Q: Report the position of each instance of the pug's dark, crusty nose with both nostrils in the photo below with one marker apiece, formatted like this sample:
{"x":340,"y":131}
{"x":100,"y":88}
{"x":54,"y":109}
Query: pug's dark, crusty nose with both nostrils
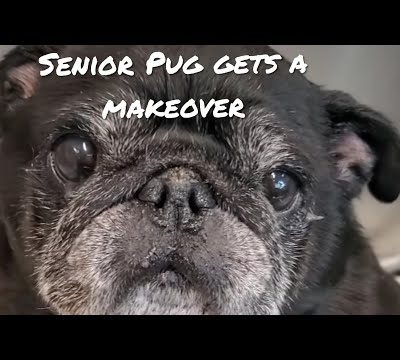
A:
{"x":178,"y":191}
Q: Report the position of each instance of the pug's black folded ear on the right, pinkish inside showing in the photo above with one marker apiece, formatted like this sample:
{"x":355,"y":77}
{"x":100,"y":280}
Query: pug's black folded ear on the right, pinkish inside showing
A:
{"x":365,"y":146}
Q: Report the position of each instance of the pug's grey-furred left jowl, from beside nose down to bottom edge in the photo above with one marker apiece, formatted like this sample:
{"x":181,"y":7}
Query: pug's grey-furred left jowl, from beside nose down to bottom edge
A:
{"x":87,"y":275}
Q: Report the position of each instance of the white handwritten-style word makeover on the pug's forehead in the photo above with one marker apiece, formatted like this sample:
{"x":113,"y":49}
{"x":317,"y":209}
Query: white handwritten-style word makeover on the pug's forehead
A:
{"x":173,"y":109}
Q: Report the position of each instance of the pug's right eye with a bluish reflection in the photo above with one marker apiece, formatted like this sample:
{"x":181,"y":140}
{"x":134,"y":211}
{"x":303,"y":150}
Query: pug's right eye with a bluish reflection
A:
{"x":282,"y":188}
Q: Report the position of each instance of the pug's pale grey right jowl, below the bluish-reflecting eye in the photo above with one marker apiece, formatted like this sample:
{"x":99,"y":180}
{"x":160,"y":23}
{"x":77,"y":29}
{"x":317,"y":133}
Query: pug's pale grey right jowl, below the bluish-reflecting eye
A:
{"x":244,"y":260}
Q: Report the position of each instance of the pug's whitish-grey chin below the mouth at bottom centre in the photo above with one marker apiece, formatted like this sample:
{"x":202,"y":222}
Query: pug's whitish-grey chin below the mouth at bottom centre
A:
{"x":169,"y":293}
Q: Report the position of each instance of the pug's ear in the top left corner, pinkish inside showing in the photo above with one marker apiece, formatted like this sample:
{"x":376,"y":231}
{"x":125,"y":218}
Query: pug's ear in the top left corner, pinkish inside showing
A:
{"x":19,"y":74}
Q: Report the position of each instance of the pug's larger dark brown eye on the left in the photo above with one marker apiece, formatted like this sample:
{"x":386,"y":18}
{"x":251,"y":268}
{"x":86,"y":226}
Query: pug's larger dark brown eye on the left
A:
{"x":74,"y":158}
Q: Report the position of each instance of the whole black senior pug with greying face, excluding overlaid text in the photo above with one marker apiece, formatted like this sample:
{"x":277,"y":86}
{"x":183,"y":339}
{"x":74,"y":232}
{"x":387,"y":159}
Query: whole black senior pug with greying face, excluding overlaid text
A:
{"x":228,"y":216}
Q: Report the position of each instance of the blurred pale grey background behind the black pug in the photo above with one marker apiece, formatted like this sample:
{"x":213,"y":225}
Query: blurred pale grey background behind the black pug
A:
{"x":371,"y":74}
